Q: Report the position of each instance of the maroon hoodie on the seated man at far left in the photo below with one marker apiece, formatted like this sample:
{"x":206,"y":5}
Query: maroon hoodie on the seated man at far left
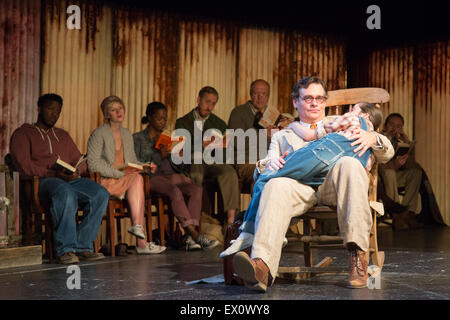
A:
{"x":35,"y":151}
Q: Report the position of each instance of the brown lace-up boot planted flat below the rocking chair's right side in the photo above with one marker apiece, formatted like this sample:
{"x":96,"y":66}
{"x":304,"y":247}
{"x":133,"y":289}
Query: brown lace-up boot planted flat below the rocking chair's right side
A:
{"x":357,"y":275}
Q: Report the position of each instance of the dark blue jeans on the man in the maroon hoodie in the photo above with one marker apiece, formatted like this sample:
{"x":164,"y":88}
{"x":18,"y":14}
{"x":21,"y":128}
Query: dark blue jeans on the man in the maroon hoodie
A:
{"x":63,"y":199}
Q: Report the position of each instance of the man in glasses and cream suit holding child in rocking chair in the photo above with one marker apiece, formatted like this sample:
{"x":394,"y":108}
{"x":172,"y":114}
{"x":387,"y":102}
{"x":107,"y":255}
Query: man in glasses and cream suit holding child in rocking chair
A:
{"x":345,"y":187}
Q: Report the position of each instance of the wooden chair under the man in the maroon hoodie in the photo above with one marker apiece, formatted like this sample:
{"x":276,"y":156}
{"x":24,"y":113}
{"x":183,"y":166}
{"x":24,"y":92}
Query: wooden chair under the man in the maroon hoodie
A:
{"x":36,"y":218}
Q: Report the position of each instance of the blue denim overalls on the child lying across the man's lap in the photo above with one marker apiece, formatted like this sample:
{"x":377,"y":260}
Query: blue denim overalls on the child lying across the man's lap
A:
{"x":309,"y":165}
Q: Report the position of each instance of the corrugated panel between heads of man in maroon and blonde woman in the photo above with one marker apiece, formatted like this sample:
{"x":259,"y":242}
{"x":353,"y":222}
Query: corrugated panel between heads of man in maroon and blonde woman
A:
{"x":77,"y":64}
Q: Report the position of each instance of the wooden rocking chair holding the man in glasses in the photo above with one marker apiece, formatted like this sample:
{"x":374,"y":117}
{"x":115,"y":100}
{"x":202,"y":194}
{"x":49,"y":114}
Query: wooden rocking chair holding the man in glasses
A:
{"x":313,"y":219}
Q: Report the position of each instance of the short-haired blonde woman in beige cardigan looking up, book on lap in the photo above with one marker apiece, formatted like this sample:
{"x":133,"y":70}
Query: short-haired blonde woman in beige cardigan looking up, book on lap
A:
{"x":109,"y":147}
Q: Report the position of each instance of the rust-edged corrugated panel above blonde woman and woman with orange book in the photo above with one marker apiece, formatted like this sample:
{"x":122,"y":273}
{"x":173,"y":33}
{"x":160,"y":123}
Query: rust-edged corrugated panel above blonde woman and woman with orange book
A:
{"x":144,"y":61}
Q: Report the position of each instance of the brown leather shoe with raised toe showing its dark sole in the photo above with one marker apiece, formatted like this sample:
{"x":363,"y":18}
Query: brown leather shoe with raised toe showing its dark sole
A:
{"x":254,"y":272}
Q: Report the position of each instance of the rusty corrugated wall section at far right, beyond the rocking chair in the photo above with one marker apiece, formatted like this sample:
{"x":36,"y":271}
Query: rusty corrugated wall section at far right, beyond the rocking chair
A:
{"x":418,"y":81}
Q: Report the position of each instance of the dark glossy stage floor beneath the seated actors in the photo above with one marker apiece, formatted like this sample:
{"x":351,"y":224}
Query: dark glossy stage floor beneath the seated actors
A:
{"x":417,"y":266}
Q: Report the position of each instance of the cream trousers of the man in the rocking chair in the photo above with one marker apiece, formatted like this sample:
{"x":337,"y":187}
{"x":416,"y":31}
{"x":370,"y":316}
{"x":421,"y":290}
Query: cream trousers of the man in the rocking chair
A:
{"x":346,"y":187}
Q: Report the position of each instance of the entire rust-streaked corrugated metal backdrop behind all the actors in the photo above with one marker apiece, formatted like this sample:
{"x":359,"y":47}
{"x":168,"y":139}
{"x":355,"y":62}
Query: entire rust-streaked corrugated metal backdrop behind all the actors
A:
{"x":142,"y":55}
